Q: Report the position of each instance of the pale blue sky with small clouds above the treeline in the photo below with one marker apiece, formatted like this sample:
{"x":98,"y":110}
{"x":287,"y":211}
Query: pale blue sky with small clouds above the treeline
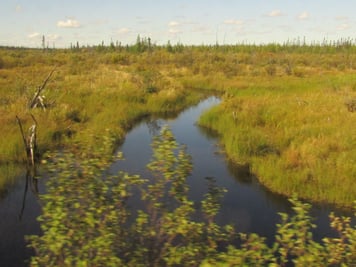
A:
{"x":197,"y":22}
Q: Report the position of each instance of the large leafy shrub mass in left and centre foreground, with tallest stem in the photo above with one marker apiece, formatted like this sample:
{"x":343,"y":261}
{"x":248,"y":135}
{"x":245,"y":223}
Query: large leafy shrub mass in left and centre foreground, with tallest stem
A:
{"x":86,"y":220}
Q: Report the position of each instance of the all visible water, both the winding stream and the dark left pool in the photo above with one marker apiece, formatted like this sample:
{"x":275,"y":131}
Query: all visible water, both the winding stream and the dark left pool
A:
{"x":247,"y":204}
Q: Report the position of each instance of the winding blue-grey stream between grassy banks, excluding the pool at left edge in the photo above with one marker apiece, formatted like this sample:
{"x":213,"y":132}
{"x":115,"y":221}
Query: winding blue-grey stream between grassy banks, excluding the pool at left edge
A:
{"x":247,"y":204}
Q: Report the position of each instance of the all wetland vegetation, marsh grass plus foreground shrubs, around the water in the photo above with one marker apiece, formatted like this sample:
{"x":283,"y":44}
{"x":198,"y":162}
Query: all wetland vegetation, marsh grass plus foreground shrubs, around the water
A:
{"x":287,"y":112}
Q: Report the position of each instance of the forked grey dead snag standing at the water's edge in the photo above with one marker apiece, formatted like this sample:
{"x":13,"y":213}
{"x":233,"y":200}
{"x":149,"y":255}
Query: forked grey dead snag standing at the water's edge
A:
{"x":30,"y":141}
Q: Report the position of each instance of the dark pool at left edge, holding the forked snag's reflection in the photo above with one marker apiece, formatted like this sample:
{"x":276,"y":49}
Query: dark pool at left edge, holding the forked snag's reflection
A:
{"x":19,"y":208}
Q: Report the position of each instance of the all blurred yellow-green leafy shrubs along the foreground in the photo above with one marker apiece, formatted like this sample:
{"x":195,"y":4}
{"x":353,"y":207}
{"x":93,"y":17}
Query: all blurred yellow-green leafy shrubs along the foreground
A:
{"x":86,"y":220}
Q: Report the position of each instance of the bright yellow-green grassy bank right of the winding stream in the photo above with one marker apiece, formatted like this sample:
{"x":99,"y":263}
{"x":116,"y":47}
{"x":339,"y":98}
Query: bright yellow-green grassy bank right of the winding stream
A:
{"x":297,"y":134}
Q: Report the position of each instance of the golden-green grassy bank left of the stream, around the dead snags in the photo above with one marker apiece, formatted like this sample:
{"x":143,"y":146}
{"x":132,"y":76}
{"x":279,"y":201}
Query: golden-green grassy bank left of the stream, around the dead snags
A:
{"x":87,"y":94}
